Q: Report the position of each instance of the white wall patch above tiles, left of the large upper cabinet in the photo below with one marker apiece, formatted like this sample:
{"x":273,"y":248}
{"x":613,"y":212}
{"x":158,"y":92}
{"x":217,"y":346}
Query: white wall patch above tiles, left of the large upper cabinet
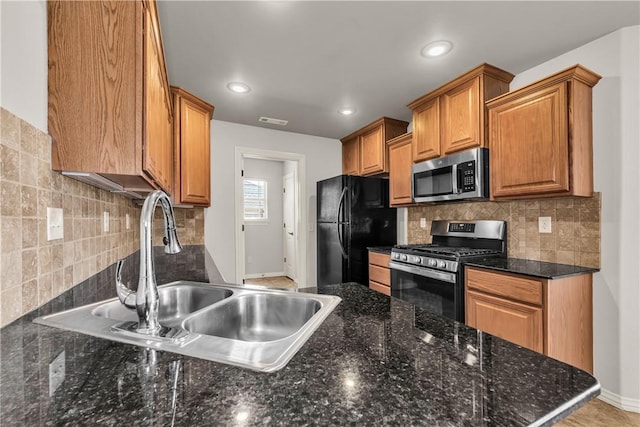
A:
{"x":23,"y":81}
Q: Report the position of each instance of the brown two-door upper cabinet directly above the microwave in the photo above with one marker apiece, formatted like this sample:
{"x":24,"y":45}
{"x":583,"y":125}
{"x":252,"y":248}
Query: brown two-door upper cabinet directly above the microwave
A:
{"x":453,"y":117}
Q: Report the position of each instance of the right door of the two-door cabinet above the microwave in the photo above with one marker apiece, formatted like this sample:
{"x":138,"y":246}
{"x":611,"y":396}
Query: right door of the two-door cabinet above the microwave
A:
{"x":461,"y":109}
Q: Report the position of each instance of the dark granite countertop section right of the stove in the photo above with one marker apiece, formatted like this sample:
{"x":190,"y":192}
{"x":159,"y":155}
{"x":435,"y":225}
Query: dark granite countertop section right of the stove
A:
{"x":545,"y":270}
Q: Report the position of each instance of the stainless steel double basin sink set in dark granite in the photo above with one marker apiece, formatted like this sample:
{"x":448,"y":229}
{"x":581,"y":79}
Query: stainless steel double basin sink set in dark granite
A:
{"x":254,"y":328}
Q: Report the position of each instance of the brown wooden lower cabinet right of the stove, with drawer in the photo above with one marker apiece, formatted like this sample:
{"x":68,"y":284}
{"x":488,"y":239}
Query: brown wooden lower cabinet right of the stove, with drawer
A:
{"x":553,"y":317}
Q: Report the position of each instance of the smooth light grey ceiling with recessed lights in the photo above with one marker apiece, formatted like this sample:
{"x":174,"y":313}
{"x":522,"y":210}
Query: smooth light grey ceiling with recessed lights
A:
{"x":305,"y":60}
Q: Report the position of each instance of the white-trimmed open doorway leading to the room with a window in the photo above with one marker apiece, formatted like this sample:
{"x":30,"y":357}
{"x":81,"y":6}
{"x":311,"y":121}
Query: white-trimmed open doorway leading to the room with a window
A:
{"x":289,"y":218}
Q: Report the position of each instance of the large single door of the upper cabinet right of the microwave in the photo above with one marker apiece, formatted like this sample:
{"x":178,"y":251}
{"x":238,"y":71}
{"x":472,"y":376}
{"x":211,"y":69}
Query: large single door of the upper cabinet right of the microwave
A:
{"x":528,"y":141}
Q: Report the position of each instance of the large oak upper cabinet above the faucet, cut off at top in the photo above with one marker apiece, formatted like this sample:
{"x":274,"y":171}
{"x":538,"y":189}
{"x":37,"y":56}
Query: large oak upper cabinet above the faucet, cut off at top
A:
{"x":110,"y":113}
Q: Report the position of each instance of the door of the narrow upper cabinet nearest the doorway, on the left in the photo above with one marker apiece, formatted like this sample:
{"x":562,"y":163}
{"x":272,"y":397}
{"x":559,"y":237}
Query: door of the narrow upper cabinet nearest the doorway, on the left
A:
{"x":194,"y":154}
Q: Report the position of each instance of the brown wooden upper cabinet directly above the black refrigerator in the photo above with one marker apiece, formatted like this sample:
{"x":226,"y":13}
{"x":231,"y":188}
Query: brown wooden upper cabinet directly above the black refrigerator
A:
{"x":364,"y":152}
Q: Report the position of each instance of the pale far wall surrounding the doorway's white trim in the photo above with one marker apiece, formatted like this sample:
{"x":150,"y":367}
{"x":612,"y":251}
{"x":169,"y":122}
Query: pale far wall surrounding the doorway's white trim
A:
{"x":323,"y":160}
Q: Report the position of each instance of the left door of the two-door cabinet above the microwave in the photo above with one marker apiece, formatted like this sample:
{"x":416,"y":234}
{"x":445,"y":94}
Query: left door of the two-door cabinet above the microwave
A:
{"x":426,"y":131}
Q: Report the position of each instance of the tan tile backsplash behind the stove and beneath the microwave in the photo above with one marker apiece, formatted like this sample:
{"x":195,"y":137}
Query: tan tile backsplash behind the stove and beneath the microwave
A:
{"x":575,"y":226}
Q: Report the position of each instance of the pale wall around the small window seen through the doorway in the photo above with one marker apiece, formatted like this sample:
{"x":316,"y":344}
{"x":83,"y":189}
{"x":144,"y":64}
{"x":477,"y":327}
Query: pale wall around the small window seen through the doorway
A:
{"x":263,"y":240}
